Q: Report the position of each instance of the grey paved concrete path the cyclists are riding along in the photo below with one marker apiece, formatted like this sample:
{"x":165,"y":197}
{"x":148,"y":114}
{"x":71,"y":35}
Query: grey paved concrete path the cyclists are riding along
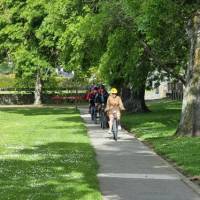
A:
{"x":129,"y":170}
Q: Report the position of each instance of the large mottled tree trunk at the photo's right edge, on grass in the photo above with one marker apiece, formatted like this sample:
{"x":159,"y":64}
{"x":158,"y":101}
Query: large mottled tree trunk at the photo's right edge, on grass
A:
{"x":190,"y":116}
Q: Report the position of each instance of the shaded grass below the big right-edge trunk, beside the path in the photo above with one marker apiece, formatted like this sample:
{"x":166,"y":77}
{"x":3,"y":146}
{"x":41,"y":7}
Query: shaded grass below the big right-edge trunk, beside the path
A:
{"x":183,"y":150}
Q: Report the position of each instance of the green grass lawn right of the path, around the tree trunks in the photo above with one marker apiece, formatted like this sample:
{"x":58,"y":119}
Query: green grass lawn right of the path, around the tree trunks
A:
{"x":158,"y":128}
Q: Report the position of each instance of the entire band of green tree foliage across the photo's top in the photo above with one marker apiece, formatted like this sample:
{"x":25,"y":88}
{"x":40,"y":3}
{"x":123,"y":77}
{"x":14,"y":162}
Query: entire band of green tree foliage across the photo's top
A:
{"x":107,"y":35}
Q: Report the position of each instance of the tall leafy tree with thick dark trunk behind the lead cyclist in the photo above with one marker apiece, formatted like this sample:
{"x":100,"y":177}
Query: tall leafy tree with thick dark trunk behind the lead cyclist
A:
{"x":106,"y":38}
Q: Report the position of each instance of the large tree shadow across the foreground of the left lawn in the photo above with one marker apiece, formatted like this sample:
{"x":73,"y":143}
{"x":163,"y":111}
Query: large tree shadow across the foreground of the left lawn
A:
{"x":53,"y":171}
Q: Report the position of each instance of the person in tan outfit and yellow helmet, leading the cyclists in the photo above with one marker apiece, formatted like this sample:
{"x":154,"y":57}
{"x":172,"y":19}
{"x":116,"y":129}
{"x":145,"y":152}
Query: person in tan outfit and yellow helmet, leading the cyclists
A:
{"x":114,"y":104}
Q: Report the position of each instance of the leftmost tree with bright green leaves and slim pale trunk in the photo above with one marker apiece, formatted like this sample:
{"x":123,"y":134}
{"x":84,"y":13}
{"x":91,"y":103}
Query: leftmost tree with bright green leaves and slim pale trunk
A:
{"x":21,"y":37}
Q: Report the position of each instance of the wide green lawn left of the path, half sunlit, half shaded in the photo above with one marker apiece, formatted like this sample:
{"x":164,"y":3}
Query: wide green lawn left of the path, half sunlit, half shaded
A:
{"x":45,"y":154}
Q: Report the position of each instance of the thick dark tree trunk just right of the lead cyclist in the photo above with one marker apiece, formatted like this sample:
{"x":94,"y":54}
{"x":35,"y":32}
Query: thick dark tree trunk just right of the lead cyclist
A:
{"x":134,"y":101}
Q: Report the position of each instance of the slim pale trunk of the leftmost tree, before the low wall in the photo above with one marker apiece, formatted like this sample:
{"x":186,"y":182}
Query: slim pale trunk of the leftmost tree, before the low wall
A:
{"x":38,"y":90}
